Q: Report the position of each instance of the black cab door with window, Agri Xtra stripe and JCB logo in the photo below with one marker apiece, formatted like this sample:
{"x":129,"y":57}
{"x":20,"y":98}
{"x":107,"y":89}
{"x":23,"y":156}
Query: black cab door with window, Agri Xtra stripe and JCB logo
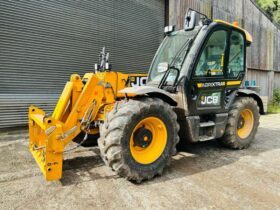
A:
{"x":206,"y":87}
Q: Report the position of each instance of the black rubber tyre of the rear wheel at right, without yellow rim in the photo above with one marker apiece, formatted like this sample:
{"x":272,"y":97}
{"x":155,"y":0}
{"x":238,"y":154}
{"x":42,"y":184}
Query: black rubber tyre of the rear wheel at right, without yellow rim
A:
{"x":231,"y":138}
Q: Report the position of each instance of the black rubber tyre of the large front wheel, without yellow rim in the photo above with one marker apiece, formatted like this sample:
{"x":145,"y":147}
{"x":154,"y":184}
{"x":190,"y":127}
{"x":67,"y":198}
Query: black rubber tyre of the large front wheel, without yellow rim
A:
{"x":116,"y":131}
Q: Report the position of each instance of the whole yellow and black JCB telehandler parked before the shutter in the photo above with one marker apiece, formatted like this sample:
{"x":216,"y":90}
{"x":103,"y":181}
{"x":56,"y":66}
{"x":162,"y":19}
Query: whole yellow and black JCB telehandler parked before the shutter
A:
{"x":193,"y":84}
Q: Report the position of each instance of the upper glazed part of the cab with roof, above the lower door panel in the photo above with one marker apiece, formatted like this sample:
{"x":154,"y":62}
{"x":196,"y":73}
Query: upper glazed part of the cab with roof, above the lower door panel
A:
{"x":204,"y":48}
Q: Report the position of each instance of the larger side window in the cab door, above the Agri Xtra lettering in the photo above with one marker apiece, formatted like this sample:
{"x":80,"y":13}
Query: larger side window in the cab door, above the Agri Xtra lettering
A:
{"x":211,"y":61}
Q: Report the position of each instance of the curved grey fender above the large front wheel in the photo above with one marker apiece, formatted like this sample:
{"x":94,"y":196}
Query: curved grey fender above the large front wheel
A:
{"x":151,"y":91}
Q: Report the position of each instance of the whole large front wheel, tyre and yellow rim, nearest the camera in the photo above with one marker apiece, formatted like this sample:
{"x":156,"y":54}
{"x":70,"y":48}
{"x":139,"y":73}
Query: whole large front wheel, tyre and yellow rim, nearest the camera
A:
{"x":118,"y":131}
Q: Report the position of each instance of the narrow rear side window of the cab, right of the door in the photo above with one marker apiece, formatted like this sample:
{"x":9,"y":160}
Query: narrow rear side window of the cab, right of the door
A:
{"x":236,"y":55}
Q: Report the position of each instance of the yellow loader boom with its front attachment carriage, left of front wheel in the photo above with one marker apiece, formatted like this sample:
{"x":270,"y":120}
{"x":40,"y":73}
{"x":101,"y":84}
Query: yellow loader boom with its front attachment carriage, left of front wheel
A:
{"x":83,"y":103}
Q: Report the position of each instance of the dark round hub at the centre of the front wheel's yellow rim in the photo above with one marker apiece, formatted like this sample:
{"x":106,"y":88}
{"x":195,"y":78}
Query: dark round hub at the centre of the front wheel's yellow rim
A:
{"x":142,"y":137}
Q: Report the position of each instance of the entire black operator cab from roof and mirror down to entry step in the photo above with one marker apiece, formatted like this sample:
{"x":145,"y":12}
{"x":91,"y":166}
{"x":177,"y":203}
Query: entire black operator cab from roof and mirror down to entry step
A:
{"x":206,"y":62}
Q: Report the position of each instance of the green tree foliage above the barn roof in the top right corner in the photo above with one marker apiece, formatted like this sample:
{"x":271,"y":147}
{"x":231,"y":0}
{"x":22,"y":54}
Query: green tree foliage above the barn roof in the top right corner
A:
{"x":272,"y":7}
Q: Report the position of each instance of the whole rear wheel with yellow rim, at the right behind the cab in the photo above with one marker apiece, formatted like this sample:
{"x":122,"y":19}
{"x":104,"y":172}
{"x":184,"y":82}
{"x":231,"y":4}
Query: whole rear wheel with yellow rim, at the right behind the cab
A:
{"x":242,"y":125}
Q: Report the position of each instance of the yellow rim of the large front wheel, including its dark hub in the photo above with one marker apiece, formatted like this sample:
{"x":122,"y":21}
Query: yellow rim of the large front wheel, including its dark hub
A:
{"x":148,"y":140}
